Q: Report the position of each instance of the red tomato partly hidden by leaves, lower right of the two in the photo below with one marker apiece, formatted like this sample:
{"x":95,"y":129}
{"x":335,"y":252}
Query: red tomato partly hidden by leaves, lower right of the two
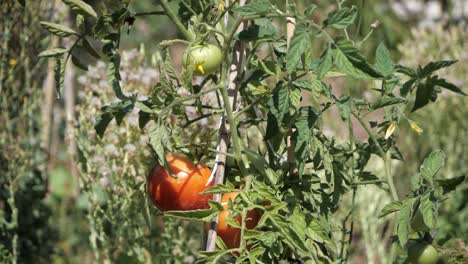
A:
{"x":229,"y":234}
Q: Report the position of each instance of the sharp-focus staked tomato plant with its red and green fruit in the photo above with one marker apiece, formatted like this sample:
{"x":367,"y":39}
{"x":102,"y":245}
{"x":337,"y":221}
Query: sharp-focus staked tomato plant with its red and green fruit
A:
{"x":269,"y":81}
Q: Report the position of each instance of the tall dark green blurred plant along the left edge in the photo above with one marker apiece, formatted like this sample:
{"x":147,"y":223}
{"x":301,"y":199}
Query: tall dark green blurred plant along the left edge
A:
{"x":26,"y":234}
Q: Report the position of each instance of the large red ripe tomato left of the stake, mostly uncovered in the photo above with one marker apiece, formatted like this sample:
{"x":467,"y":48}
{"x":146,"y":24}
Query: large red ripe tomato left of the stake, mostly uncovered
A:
{"x":181,"y":193}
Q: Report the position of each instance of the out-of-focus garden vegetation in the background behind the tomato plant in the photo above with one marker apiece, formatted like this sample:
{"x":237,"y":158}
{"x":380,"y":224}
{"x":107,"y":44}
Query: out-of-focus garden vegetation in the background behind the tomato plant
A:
{"x":51,"y":207}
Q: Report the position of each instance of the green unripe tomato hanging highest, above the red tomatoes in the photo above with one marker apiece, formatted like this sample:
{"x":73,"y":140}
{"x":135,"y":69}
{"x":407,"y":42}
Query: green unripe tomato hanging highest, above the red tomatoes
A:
{"x":205,"y":59}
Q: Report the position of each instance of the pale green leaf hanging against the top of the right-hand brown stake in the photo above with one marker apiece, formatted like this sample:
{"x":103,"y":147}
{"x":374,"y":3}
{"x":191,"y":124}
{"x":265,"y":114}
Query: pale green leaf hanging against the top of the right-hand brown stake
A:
{"x":299,"y":43}
